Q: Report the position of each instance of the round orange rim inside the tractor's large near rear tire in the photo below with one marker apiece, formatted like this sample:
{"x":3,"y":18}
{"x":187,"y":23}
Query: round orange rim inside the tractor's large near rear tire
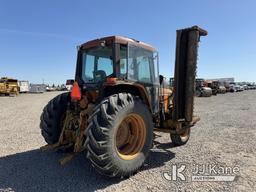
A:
{"x":130,"y":137}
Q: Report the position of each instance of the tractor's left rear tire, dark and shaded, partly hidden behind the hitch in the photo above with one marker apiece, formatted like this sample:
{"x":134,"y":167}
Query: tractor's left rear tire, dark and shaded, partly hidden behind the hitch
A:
{"x":52,"y":116}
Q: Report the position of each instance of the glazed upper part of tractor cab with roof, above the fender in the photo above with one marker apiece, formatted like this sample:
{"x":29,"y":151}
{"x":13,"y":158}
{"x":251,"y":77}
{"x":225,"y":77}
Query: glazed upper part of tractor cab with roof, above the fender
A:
{"x":116,"y":57}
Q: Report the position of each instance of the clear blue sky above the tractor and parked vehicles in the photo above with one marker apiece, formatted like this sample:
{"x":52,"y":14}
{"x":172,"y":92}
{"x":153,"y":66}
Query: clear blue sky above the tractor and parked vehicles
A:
{"x":38,"y":39}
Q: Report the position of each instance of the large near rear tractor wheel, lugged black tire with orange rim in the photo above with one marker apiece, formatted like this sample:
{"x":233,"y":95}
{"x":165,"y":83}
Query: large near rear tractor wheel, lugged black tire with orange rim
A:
{"x":120,"y":134}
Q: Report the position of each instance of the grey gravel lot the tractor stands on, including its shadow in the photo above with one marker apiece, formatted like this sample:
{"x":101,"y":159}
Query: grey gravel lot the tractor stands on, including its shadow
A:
{"x":225,"y":136}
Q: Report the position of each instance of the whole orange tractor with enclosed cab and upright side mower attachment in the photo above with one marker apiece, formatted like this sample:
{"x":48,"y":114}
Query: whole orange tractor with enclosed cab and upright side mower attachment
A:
{"x":119,"y":99}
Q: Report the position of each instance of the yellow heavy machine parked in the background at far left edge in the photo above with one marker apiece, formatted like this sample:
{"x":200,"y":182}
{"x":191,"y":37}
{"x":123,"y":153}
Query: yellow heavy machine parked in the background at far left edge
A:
{"x":9,"y":86}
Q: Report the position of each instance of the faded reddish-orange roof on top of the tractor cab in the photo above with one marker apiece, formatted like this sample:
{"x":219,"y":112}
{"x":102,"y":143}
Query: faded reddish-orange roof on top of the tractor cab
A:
{"x":117,"y":39}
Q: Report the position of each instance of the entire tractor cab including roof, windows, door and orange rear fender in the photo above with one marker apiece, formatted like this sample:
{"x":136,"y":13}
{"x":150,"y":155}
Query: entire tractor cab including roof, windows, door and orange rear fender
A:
{"x":118,"y":64}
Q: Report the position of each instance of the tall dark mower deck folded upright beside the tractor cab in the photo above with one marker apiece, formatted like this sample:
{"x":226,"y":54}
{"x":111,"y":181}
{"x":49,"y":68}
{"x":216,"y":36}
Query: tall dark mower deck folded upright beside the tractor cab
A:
{"x":187,"y":41}
